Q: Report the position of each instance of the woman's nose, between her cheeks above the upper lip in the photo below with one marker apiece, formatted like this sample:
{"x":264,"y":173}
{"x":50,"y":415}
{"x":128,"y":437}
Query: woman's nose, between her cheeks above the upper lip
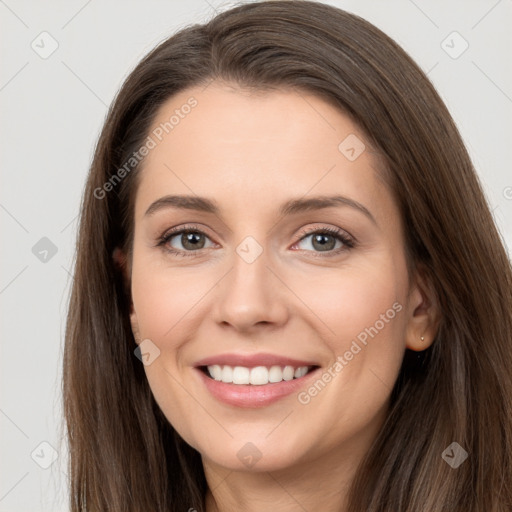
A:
{"x":251,"y":296}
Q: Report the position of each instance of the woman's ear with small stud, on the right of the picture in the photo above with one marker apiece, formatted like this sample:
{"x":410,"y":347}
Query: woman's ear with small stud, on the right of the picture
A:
{"x":424,"y":313}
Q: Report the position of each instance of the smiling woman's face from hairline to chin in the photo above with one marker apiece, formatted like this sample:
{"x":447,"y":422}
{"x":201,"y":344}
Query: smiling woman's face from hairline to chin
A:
{"x":293,"y":256}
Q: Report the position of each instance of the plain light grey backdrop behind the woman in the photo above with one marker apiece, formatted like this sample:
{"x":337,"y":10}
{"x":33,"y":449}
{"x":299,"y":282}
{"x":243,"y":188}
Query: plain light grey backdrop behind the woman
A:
{"x":52,"y":110}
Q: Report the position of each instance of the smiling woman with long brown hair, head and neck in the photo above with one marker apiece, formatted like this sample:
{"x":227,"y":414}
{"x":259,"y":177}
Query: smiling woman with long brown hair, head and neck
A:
{"x":289,"y":290}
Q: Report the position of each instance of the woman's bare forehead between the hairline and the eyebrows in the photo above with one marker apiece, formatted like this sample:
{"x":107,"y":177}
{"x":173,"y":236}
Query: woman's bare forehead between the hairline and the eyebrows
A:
{"x":264,"y":146}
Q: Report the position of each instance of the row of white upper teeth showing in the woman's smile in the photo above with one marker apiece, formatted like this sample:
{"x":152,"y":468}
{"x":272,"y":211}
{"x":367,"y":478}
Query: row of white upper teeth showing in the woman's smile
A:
{"x":257,"y":376}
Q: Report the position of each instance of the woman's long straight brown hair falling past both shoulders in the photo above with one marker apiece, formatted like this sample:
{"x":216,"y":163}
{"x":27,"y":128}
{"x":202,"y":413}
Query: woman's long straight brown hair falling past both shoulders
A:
{"x":124,"y":454}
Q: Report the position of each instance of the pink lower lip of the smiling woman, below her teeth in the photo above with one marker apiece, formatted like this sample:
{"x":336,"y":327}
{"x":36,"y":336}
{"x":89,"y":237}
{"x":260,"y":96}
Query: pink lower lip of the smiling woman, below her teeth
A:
{"x":245,"y":395}
